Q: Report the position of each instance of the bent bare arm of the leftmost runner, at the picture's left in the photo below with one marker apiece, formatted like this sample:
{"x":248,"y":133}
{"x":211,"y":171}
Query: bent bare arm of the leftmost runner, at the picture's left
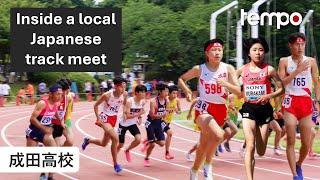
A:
{"x":34,"y":121}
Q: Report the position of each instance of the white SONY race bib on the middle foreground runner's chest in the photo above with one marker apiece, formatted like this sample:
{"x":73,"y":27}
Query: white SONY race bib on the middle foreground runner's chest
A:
{"x":254,"y":92}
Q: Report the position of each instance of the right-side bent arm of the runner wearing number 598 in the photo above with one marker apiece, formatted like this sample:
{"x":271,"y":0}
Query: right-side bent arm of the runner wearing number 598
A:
{"x":232,"y":84}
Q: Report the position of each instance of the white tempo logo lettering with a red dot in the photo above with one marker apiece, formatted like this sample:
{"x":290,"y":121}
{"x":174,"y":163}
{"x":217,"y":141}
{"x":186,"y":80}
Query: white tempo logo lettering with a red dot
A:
{"x":254,"y":18}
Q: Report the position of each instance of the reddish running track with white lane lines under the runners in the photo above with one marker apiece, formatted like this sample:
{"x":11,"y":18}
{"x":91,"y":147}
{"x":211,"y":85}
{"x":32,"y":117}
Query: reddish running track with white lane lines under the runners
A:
{"x":96,"y":162}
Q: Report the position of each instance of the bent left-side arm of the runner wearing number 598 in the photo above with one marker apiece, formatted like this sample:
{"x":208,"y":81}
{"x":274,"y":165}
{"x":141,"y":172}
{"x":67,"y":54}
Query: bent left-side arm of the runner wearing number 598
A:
{"x":192,"y":73}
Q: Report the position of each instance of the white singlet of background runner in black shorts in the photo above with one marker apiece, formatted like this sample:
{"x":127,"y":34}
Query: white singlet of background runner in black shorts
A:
{"x":135,"y":109}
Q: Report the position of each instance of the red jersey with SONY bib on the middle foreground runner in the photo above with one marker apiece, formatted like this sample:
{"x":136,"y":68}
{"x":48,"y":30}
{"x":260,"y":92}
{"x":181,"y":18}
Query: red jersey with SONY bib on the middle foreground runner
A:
{"x":255,"y":84}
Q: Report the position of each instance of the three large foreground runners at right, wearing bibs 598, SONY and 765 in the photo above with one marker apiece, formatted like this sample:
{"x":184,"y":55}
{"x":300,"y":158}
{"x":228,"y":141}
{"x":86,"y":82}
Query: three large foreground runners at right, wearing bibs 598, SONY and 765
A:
{"x":294,"y":79}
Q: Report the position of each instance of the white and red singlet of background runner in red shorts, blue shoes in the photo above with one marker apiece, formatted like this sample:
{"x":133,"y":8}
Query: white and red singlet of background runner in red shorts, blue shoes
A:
{"x":111,"y":108}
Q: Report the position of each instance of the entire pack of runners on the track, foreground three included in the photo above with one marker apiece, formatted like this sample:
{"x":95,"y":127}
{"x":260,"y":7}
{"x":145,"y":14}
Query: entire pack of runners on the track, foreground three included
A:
{"x":217,"y":85}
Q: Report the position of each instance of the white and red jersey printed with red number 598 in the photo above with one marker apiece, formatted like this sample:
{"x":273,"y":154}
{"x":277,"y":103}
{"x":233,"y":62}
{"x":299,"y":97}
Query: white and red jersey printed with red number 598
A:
{"x":208,"y":88}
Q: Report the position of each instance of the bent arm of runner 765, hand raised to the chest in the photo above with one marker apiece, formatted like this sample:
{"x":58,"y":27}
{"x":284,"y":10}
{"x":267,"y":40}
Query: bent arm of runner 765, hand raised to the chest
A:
{"x":283,"y":74}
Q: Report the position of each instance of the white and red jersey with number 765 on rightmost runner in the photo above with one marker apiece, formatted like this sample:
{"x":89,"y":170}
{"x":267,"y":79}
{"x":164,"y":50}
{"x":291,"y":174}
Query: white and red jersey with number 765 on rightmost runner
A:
{"x":301,"y":85}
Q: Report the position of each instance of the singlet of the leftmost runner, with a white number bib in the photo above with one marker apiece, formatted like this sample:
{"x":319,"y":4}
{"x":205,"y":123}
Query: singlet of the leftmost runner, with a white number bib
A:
{"x":47,"y":114}
